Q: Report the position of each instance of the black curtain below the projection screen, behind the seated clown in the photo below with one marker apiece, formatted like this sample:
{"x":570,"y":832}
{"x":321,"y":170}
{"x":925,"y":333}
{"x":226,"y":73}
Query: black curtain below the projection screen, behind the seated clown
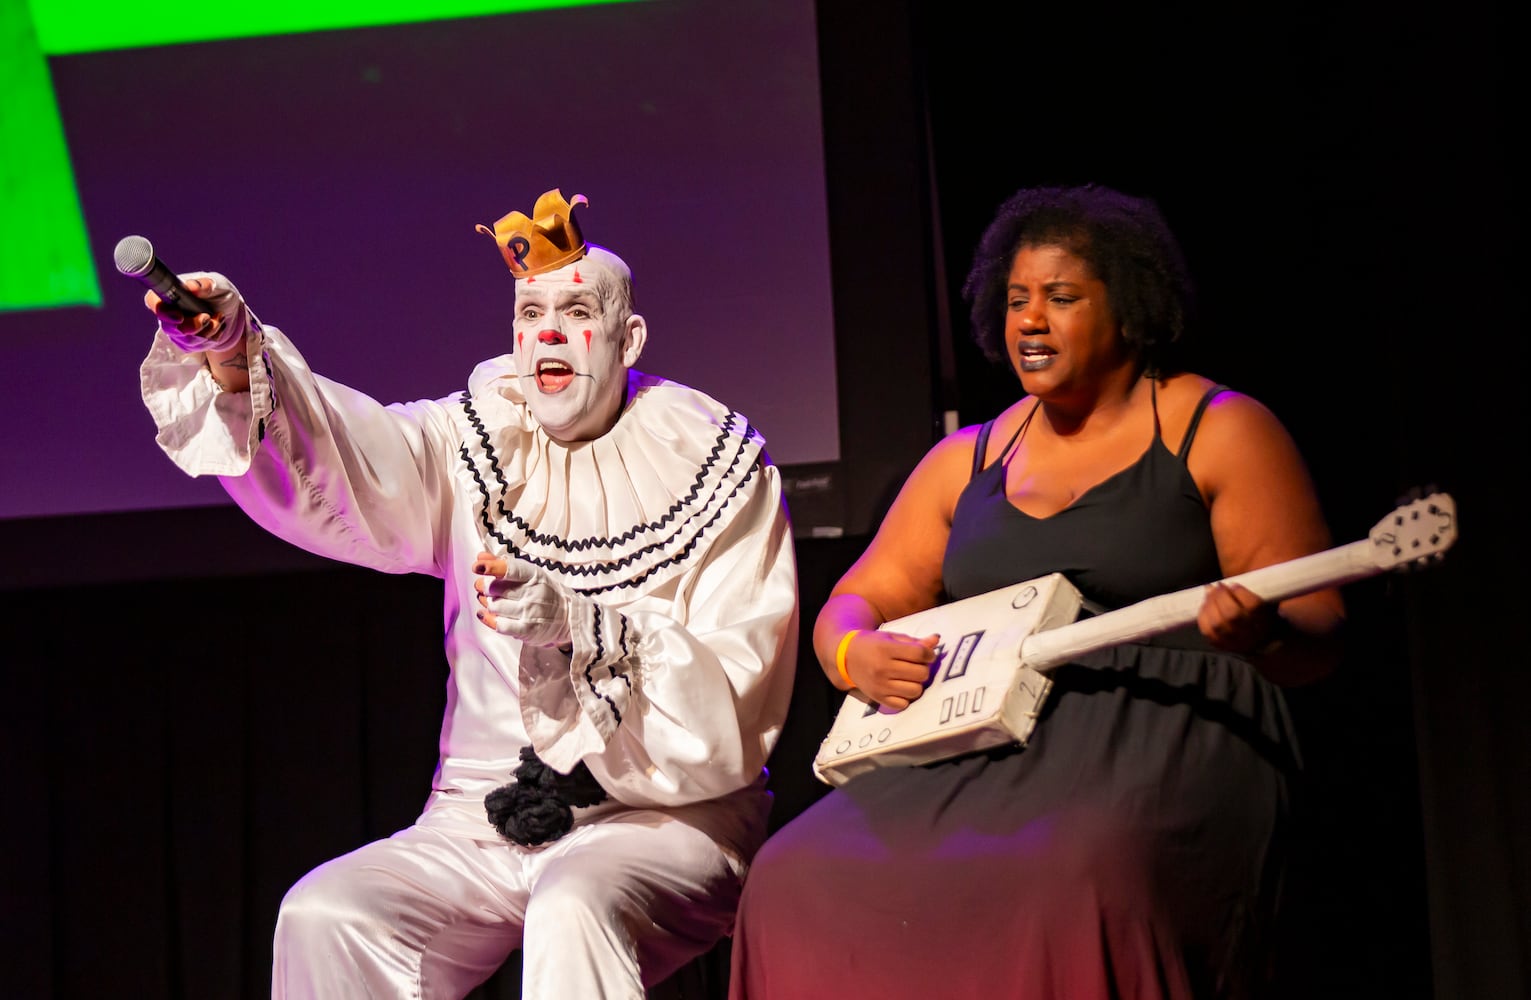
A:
{"x":183,"y":751}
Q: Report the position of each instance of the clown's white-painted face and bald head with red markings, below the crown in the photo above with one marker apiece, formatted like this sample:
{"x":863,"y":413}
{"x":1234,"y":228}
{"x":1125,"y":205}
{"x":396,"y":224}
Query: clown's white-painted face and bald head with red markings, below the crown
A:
{"x":575,"y":344}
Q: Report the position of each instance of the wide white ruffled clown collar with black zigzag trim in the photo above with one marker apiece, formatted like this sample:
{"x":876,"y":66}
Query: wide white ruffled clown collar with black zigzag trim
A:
{"x":624,"y":512}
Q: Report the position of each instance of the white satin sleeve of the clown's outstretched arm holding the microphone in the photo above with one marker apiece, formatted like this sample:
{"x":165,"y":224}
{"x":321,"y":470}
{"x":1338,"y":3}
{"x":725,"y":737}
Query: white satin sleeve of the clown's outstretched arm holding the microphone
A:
{"x":316,"y":463}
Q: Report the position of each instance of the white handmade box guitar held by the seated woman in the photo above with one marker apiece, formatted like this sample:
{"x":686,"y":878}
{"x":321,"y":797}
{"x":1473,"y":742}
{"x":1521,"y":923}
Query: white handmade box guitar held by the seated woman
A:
{"x":990,"y":676}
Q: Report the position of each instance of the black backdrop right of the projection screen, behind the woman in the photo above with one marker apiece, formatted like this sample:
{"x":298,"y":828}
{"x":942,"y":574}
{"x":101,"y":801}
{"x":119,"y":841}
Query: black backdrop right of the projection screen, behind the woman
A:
{"x":1340,"y":177}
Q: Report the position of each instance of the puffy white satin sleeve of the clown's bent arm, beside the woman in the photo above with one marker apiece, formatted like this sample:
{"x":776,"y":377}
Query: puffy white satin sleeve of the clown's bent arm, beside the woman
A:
{"x":679,"y":704}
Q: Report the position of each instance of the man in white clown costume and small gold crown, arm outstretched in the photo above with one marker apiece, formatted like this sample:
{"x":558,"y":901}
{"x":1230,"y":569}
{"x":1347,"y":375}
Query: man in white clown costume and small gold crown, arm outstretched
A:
{"x":621,"y":627}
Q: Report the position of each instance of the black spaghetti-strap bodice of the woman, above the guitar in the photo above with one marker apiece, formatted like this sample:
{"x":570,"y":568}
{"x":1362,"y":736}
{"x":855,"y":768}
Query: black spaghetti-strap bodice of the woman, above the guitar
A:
{"x":1140,"y":534}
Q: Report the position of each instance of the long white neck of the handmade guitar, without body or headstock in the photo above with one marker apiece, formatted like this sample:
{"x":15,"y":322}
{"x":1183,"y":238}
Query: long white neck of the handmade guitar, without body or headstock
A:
{"x":1161,"y":615}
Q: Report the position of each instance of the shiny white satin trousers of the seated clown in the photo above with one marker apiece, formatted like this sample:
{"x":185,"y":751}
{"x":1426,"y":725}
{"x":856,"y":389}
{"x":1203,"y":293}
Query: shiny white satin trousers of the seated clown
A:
{"x":604,"y":912}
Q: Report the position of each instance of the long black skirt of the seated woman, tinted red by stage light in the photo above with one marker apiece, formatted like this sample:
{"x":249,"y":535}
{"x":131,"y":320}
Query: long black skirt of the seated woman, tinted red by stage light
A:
{"x":1134,"y":849}
